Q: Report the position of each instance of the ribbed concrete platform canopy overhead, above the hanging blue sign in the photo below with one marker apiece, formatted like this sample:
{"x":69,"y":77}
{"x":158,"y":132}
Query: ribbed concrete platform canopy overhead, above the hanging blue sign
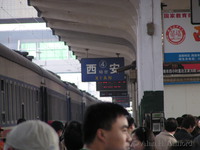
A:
{"x":98,"y":28}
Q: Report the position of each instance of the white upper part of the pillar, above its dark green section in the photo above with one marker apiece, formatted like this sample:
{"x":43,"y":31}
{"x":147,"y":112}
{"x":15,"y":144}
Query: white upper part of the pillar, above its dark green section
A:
{"x":149,"y":48}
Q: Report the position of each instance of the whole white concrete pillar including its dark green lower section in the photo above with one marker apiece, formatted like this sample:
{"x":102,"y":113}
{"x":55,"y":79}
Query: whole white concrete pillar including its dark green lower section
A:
{"x":149,"y":57}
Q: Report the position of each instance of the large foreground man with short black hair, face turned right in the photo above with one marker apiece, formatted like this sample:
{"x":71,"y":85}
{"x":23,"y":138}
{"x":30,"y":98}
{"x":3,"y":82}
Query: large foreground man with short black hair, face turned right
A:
{"x":105,"y":127}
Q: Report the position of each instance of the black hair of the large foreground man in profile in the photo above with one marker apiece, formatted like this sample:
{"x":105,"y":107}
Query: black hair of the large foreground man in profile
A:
{"x":100,"y":116}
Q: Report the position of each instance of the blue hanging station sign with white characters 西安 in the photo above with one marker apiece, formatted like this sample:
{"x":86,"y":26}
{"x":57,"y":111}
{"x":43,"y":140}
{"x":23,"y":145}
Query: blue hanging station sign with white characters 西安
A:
{"x":101,"y":69}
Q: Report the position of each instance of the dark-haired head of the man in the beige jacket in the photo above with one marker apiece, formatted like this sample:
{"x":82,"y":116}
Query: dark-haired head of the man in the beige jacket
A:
{"x":171,"y":125}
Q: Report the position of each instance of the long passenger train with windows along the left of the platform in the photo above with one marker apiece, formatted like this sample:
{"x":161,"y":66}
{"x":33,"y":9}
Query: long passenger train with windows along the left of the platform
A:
{"x":31,"y":92}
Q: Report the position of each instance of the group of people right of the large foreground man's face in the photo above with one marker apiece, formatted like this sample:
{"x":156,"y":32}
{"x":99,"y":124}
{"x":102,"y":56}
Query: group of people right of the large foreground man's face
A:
{"x":182,"y":133}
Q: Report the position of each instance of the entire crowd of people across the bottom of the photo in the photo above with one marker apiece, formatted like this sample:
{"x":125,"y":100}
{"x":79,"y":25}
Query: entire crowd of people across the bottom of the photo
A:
{"x":106,"y":126}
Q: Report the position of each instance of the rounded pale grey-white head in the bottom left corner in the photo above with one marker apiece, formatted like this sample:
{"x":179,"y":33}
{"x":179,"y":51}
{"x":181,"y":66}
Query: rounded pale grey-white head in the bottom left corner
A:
{"x":32,"y":135}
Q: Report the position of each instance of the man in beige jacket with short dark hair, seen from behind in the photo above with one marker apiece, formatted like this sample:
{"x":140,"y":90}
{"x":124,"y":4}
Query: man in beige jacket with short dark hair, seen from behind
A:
{"x":165,"y":139}
